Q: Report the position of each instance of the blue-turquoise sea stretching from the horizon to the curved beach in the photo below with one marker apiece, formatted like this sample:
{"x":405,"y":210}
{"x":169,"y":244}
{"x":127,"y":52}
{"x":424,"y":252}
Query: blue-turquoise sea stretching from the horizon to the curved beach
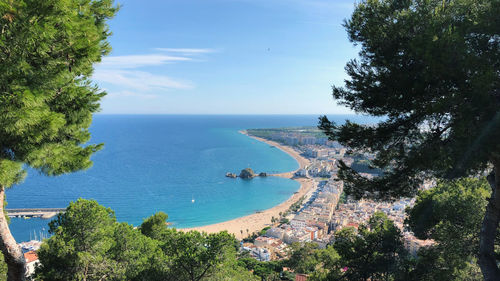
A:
{"x":170,"y":163}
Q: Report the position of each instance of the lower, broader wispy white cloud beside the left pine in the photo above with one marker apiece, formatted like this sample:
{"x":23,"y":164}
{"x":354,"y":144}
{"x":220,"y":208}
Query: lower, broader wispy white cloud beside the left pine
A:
{"x":139,"y":80}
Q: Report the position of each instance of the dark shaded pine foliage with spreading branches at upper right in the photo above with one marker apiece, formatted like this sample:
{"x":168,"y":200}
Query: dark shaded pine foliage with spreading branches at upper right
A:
{"x":431,"y":68}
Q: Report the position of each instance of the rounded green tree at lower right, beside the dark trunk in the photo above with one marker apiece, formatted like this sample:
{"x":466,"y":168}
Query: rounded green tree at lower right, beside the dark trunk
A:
{"x":451,"y":214}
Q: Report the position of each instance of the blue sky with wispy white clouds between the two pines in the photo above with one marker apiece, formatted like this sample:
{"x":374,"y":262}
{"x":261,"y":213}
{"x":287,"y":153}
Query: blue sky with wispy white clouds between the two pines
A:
{"x":226,"y":57}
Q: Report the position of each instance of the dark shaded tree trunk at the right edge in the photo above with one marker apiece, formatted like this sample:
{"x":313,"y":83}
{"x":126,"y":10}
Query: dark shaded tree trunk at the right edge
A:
{"x":487,"y":260}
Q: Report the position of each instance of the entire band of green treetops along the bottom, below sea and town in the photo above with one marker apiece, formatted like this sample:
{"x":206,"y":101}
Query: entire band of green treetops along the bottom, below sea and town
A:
{"x":89,"y":244}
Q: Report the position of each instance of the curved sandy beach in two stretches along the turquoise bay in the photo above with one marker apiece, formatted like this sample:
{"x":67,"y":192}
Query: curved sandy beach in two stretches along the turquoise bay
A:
{"x":256,"y":222}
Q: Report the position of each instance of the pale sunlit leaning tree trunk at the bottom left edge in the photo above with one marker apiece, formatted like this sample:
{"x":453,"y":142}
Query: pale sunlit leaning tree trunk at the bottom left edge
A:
{"x":12,"y":253}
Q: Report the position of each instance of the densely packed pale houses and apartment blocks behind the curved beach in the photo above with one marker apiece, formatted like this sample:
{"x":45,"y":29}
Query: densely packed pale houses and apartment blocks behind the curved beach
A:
{"x":322,"y":215}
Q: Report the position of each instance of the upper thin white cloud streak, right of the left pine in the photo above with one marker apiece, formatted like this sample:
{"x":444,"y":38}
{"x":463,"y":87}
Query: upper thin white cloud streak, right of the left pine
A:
{"x":137,"y":61}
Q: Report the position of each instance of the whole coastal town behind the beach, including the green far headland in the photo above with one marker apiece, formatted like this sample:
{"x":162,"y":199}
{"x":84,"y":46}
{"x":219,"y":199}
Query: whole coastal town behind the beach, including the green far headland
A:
{"x":324,"y":209}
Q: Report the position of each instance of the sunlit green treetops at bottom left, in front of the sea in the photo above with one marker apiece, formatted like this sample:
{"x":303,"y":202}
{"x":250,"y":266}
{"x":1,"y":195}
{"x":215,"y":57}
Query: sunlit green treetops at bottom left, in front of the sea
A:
{"x":88,"y":244}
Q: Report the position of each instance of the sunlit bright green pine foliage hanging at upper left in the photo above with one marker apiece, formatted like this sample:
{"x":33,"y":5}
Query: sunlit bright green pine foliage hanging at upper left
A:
{"x":47,"y":51}
